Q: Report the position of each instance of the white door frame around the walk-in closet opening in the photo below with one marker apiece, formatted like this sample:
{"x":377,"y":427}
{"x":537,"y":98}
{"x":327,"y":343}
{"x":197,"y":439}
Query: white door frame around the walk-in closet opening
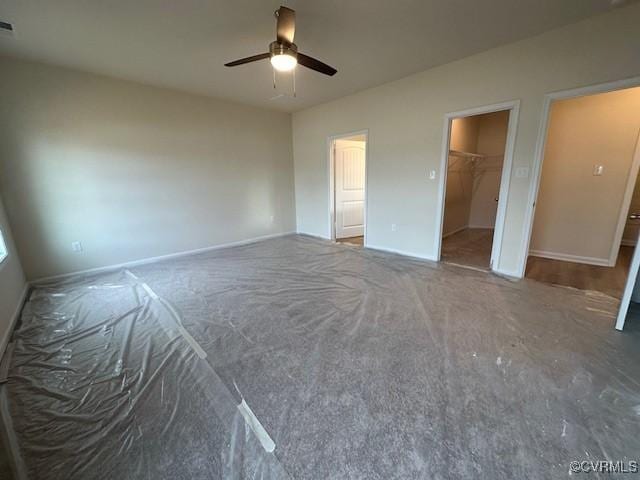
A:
{"x":513,"y":106}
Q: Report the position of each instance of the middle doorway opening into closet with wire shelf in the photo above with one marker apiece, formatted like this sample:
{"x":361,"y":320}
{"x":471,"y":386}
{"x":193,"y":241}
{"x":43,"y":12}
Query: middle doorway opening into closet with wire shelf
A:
{"x":477,"y":163}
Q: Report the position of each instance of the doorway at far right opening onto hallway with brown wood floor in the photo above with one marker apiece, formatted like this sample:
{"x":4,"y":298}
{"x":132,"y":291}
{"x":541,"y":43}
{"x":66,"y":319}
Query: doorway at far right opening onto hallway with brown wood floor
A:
{"x":586,"y":221}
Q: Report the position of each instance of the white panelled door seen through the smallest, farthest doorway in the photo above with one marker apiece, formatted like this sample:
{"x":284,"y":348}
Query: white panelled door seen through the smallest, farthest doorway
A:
{"x":349,"y":167}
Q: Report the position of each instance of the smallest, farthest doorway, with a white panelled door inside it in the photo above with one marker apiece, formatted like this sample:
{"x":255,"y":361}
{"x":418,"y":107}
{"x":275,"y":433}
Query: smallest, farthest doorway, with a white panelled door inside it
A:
{"x":348,"y":174}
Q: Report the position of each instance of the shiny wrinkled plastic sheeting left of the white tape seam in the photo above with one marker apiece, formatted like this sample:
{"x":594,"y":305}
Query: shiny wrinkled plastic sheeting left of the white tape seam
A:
{"x":105,"y":383}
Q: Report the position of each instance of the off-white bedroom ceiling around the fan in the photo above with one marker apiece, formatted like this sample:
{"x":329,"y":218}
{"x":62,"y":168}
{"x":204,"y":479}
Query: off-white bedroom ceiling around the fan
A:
{"x":183,"y":44}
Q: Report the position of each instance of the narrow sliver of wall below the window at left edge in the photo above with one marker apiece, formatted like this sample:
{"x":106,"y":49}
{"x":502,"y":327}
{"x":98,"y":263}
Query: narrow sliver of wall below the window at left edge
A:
{"x":12,"y":282}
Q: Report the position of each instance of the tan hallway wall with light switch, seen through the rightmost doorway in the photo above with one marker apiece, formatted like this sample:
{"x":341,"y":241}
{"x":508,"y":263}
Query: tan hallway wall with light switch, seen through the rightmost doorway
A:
{"x":577,"y":213}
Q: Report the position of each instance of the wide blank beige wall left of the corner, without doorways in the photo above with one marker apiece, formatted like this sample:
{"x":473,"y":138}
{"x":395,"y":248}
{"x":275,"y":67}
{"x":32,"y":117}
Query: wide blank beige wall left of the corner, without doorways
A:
{"x":133,"y":171}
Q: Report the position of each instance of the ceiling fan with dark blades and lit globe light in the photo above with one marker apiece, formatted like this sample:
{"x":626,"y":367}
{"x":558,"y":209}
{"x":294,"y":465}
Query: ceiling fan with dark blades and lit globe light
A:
{"x":283,"y":52}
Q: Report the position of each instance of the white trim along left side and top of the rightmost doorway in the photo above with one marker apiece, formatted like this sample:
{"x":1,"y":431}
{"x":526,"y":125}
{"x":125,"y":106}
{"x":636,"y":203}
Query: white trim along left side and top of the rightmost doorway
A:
{"x":536,"y":170}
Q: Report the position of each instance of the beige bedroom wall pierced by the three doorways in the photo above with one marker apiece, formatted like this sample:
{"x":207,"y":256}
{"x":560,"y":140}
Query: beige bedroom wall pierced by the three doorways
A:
{"x":405,"y":120}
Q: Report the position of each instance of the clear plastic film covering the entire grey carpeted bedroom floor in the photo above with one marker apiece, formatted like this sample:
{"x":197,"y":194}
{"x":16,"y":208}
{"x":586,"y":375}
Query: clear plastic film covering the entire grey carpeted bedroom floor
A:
{"x":297,"y":358}
